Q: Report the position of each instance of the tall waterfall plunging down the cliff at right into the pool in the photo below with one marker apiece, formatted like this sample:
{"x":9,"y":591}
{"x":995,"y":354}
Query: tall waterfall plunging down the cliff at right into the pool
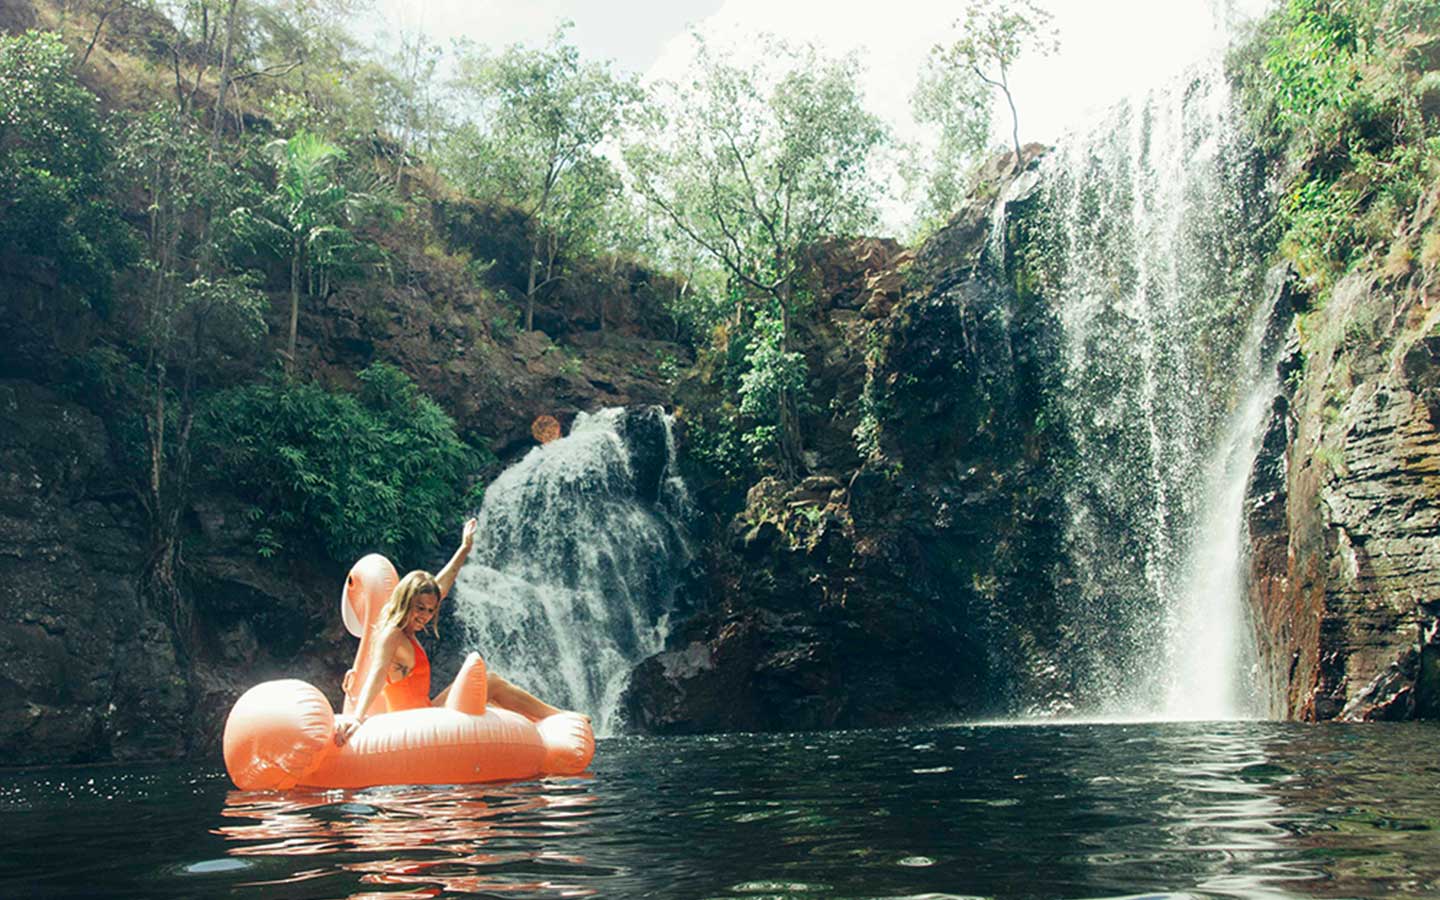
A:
{"x":1154,"y":254}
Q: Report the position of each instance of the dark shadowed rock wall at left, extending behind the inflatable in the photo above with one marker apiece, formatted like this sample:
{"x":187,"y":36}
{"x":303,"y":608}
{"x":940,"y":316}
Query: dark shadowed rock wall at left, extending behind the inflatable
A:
{"x":87,"y":670}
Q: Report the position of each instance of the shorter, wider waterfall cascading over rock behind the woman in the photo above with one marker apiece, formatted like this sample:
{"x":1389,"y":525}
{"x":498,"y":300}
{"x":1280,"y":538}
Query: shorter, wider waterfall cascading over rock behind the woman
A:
{"x":575,"y":565}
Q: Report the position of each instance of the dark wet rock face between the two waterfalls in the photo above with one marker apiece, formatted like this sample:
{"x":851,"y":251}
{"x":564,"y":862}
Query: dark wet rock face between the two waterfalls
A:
{"x":908,"y":585}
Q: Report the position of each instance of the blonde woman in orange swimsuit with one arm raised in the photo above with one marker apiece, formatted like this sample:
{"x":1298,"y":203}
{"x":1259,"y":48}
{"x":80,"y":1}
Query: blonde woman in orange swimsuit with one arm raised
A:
{"x":402,"y":672}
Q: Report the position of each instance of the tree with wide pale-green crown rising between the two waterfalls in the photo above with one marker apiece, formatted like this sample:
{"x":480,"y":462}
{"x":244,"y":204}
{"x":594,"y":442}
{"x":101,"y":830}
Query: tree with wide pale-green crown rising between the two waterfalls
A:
{"x":755,"y":165}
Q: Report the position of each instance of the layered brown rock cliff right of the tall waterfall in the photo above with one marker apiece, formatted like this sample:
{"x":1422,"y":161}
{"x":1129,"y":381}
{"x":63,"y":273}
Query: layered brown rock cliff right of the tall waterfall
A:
{"x":1346,"y":523}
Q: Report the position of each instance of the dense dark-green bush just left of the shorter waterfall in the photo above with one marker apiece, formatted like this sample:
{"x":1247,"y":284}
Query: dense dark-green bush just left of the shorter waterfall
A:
{"x":379,"y":470}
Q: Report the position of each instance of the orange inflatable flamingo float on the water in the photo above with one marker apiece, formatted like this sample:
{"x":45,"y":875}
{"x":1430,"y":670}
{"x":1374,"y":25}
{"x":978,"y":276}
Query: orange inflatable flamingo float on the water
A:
{"x":282,"y":734}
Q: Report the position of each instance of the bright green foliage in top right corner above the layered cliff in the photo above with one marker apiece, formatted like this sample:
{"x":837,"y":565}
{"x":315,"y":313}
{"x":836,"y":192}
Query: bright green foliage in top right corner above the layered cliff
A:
{"x":1328,"y":84}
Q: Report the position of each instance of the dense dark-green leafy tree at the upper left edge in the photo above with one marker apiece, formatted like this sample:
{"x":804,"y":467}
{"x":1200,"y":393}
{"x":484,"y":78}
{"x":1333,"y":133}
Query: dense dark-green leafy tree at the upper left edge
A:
{"x":54,"y":162}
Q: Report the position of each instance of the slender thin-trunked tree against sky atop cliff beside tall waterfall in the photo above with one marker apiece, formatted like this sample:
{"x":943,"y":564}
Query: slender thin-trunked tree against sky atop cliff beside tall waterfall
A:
{"x":996,"y":35}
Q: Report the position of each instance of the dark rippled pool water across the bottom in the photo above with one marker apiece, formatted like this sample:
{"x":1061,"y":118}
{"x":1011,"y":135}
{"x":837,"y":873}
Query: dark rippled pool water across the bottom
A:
{"x":1230,"y":810}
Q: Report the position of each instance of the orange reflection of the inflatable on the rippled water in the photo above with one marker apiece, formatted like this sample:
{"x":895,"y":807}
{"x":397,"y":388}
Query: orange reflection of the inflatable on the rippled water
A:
{"x":483,"y":839}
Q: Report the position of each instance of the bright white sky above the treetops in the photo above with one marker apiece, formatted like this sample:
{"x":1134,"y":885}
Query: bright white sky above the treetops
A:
{"x":1108,"y":48}
